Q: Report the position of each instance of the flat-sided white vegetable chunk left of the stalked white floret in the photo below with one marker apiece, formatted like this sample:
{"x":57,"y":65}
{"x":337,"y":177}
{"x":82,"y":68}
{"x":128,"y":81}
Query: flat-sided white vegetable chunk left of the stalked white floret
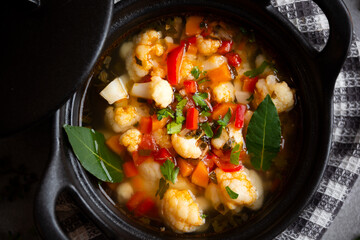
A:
{"x":114,"y":91}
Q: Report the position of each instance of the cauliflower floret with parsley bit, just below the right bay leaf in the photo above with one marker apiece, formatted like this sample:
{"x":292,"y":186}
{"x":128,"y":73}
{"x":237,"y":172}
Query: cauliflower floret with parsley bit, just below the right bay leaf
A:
{"x":239,"y":183}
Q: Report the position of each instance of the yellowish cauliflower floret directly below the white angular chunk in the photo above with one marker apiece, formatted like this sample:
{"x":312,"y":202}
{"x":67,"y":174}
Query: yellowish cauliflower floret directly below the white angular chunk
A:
{"x":121,"y":118}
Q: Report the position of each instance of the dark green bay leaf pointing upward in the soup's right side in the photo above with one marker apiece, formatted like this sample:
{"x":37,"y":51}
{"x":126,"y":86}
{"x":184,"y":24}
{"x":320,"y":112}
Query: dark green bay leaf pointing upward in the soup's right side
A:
{"x":264,"y":135}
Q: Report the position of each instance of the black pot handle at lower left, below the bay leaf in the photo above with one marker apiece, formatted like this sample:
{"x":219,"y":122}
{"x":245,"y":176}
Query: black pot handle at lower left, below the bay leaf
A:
{"x":53,"y":183}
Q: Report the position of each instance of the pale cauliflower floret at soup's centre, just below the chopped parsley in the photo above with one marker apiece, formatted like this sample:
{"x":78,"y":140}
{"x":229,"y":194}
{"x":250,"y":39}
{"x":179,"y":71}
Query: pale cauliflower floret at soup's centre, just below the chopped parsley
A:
{"x":187,"y":148}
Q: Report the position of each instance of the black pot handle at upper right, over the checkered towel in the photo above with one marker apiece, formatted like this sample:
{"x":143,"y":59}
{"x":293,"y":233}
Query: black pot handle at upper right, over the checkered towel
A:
{"x":331,"y":59}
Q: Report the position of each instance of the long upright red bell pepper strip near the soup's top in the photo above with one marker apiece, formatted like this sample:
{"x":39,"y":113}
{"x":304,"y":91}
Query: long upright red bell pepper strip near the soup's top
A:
{"x":174,"y":60}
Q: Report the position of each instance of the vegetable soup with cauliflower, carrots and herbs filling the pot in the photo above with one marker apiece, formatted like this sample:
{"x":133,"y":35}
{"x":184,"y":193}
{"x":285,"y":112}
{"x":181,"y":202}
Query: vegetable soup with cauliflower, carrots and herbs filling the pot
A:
{"x":202,"y":115}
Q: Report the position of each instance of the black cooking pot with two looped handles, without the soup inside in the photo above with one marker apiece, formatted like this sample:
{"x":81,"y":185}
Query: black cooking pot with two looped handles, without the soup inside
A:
{"x":313,"y":72}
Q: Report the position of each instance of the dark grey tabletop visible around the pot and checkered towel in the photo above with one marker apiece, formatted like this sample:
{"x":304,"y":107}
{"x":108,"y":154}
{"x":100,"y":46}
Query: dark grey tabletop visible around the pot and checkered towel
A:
{"x":23,"y":158}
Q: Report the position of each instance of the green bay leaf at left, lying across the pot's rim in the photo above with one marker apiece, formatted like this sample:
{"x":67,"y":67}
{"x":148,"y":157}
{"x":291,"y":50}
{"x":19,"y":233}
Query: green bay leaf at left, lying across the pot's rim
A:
{"x":90,"y":148}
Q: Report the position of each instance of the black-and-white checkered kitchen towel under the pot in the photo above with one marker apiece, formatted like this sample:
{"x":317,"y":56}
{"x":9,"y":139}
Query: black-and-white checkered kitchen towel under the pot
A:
{"x":344,"y":163}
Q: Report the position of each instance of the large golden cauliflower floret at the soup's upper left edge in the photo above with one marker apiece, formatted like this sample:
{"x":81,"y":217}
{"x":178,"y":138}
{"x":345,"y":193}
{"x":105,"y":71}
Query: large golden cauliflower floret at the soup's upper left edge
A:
{"x":140,"y":58}
